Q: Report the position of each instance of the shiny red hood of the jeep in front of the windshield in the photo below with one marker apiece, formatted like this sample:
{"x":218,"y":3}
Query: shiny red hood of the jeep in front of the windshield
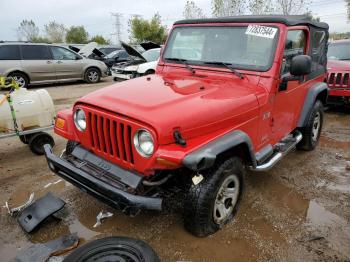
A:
{"x":193,"y":105}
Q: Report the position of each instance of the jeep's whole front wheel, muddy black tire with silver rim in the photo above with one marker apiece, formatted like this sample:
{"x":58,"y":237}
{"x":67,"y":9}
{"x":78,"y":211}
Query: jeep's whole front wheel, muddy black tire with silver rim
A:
{"x":213,"y":202}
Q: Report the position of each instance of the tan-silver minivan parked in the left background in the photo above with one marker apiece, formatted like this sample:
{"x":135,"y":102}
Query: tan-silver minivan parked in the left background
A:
{"x":30,"y":63}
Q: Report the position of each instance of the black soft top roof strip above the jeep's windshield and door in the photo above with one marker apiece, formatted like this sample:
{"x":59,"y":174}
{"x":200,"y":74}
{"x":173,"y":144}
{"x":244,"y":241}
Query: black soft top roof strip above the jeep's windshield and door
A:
{"x":289,"y":20}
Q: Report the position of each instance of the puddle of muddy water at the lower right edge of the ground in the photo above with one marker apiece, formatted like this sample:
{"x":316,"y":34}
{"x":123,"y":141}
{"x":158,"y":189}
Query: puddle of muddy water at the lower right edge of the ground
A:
{"x":335,"y":229}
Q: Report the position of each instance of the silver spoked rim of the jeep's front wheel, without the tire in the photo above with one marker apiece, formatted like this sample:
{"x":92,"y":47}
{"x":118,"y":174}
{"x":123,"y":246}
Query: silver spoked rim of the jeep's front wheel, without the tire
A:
{"x":226,"y":199}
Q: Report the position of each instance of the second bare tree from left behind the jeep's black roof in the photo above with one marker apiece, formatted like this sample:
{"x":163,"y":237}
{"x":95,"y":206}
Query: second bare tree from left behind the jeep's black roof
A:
{"x":227,"y":7}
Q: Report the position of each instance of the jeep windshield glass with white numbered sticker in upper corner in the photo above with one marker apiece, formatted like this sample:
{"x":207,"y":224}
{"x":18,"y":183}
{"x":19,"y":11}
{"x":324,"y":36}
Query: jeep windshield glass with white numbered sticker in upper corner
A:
{"x":244,"y":47}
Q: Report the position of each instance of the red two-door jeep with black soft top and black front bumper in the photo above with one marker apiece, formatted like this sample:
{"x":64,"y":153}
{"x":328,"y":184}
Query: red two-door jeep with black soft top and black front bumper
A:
{"x":229,"y":94}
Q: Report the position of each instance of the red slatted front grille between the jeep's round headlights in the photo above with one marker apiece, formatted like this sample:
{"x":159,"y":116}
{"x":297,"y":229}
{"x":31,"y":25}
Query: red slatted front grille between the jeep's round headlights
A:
{"x":111,"y":136}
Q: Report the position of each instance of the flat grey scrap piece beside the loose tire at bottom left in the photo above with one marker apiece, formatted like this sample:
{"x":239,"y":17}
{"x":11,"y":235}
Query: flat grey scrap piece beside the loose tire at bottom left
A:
{"x":42,"y":252}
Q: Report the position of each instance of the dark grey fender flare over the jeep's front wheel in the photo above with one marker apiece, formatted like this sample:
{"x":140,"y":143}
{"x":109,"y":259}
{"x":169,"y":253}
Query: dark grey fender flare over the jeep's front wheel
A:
{"x":205,"y":156}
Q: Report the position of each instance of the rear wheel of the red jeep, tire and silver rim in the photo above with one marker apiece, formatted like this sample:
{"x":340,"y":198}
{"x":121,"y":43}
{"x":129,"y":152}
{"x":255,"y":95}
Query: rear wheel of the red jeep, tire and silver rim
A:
{"x":312,"y":131}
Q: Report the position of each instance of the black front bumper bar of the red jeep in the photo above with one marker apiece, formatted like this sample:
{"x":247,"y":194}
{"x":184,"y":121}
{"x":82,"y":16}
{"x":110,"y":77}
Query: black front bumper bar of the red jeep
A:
{"x":97,"y":188}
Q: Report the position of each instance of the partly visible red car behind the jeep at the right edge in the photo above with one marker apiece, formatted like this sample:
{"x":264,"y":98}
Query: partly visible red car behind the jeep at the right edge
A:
{"x":339,"y":71}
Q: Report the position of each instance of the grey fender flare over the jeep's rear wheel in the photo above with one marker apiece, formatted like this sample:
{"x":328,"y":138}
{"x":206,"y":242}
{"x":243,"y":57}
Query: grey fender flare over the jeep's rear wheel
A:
{"x":310,"y":99}
